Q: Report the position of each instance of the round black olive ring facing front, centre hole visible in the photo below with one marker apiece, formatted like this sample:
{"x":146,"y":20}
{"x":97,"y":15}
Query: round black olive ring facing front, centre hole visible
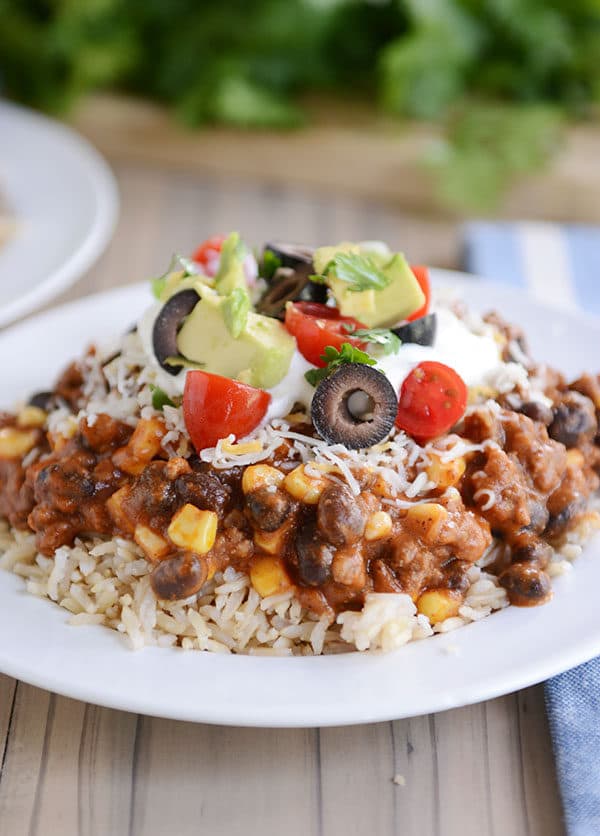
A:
{"x":355,"y":406}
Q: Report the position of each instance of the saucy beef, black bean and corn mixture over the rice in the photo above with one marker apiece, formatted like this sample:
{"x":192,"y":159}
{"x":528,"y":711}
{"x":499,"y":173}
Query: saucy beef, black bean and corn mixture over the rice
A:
{"x":527,"y":484}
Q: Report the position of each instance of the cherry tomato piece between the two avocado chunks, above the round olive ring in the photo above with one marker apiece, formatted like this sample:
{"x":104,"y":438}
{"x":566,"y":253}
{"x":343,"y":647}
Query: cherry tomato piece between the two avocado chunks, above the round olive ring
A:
{"x":316,"y":326}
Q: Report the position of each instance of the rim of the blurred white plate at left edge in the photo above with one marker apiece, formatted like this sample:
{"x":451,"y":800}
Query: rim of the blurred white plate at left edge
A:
{"x":100,"y":232}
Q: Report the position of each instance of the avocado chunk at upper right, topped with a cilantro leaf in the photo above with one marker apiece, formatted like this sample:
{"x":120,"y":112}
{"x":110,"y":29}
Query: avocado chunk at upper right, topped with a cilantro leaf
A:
{"x":385,"y":307}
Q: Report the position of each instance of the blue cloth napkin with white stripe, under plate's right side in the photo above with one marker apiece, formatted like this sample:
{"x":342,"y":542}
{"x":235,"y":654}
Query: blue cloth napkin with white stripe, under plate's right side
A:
{"x":559,"y":264}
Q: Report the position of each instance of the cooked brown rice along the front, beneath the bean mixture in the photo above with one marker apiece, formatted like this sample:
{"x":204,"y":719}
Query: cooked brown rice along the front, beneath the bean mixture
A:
{"x":112,"y":588}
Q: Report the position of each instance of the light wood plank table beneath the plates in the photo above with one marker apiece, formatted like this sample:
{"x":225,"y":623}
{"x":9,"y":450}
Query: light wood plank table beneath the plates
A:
{"x":70,"y":769}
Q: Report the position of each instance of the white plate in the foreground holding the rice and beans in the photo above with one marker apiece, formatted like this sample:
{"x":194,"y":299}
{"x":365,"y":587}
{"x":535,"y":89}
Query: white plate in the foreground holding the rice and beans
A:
{"x":510,"y":650}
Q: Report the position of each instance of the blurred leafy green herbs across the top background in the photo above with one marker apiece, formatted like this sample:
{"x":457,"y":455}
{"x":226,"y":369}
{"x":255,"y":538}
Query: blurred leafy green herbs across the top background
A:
{"x":501,"y":77}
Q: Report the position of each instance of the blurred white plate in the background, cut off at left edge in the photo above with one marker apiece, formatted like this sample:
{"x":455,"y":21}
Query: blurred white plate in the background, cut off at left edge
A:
{"x":64,"y":200}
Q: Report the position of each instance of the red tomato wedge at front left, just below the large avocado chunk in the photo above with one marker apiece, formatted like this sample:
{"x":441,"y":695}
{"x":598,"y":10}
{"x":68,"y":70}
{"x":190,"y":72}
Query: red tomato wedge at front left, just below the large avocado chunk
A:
{"x":215,"y":406}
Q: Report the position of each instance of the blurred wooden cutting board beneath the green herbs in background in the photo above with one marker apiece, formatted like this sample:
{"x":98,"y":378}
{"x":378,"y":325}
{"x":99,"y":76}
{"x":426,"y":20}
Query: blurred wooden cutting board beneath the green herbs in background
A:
{"x":347,"y":147}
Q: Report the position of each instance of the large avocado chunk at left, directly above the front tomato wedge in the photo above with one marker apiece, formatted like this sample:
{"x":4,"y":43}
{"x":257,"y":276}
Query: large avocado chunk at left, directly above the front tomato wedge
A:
{"x":260,"y":355}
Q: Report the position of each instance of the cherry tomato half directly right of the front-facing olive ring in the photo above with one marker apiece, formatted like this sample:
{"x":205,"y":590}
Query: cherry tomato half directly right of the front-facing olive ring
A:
{"x":432,"y":399}
